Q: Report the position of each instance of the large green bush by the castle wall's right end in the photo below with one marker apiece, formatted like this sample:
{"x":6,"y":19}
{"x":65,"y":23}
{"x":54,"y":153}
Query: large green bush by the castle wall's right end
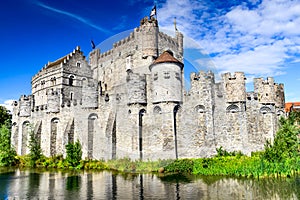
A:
{"x":286,"y":142}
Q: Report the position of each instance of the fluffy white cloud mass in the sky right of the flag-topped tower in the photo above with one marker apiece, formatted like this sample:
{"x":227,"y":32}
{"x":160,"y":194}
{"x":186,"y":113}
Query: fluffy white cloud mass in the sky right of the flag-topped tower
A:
{"x":255,"y":39}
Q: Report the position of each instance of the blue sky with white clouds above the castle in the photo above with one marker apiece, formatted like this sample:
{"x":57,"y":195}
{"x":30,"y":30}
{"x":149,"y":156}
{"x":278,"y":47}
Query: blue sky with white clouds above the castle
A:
{"x":258,"y":37}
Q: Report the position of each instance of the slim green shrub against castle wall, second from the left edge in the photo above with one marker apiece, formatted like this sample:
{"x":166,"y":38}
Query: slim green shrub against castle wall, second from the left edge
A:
{"x":35,"y":148}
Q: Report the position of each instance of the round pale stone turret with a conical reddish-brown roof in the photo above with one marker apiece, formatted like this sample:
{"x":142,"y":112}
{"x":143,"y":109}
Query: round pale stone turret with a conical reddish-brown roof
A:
{"x":167,"y":78}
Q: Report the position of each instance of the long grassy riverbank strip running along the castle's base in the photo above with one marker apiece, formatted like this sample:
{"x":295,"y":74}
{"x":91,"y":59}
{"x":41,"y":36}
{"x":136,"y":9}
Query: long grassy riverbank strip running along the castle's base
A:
{"x":239,"y":165}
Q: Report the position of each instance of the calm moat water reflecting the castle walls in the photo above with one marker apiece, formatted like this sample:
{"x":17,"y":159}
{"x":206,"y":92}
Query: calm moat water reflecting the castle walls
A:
{"x":38,"y":184}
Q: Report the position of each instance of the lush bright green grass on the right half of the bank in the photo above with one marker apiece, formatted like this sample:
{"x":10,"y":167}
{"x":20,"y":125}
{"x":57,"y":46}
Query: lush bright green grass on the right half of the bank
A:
{"x":236,"y":166}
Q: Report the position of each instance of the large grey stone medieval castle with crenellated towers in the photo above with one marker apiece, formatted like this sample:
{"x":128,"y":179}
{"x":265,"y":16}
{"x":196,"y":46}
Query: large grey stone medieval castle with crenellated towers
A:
{"x":130,"y":101}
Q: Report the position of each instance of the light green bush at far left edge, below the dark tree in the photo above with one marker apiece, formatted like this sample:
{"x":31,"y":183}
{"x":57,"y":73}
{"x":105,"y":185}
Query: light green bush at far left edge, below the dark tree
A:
{"x":7,"y":153}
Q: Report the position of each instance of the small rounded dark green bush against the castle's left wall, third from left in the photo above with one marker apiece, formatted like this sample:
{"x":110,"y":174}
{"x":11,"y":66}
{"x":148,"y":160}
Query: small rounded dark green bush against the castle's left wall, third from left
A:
{"x":74,"y":154}
